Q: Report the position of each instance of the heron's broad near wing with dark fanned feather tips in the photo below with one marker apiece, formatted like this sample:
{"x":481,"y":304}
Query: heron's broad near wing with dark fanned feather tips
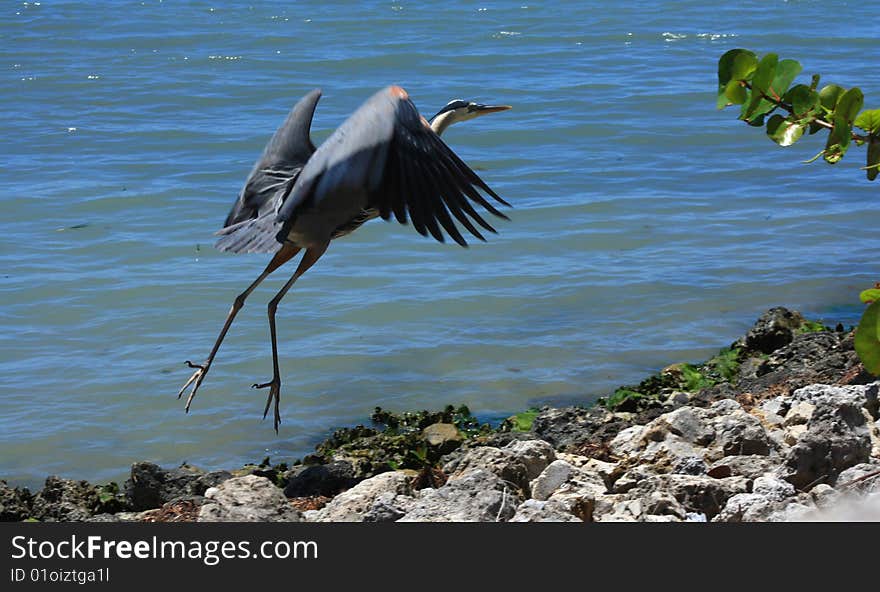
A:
{"x":388,"y":152}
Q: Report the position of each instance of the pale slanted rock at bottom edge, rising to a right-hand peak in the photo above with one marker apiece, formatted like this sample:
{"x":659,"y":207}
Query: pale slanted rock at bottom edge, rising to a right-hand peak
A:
{"x":356,"y":503}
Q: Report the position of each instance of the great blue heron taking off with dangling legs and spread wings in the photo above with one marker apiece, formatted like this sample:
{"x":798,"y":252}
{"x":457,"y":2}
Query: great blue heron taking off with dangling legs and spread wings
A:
{"x":385,"y":160}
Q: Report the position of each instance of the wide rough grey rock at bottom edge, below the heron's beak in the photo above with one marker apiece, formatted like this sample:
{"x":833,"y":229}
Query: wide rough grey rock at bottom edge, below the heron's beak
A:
{"x":477,"y":495}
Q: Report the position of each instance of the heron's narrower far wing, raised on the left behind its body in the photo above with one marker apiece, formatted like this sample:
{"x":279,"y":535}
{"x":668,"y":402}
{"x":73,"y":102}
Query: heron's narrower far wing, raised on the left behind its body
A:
{"x":269,"y":181}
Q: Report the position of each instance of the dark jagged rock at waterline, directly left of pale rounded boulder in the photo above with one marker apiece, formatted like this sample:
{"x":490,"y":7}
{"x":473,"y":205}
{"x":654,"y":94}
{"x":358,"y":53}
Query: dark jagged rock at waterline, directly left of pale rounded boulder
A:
{"x":150,"y":486}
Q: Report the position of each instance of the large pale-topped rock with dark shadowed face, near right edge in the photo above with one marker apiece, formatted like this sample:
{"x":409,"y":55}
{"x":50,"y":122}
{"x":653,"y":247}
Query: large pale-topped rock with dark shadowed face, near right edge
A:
{"x":837,"y":438}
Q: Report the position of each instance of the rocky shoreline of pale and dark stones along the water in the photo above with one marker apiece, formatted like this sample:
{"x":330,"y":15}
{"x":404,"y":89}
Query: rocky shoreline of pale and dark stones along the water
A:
{"x":781,"y":425}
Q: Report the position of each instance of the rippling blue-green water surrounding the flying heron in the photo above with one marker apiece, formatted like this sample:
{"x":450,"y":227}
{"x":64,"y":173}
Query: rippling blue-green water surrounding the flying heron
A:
{"x":647,"y":228}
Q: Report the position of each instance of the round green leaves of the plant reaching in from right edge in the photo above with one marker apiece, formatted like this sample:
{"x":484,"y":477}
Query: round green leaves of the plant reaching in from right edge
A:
{"x":763,"y":90}
